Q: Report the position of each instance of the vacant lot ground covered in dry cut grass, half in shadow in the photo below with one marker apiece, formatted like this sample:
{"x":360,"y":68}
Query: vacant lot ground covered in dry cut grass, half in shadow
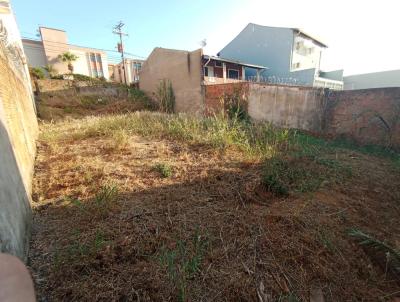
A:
{"x":152,"y":207}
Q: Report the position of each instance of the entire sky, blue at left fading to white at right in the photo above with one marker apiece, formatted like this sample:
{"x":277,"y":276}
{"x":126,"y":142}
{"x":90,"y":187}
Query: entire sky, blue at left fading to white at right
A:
{"x":362,"y":35}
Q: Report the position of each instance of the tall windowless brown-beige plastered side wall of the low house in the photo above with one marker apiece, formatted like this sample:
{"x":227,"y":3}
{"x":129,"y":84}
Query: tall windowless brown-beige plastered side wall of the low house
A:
{"x":183,"y":69}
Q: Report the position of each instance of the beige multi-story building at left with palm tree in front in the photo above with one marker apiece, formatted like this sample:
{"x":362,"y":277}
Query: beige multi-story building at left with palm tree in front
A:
{"x":54,"y":42}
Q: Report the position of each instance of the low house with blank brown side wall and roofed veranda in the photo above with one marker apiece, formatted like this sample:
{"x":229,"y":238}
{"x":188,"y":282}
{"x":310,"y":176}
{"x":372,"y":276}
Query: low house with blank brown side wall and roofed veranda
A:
{"x":189,"y":72}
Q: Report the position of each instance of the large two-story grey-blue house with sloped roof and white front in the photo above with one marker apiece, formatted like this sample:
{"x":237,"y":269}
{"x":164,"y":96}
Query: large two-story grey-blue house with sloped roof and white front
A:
{"x":292,"y":56}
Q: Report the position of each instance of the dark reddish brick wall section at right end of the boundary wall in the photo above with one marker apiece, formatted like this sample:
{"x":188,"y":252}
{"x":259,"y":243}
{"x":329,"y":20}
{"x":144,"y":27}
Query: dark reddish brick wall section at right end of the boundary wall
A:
{"x":369,"y":116}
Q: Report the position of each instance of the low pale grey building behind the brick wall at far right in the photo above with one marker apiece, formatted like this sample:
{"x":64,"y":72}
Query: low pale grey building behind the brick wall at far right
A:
{"x":383,"y":79}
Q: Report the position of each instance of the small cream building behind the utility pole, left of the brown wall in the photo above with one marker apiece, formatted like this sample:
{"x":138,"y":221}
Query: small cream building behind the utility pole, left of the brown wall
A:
{"x":133,"y":67}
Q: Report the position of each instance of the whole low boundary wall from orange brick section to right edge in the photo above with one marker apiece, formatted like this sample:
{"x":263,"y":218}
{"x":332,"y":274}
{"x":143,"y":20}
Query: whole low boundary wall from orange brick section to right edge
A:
{"x":370,"y":116}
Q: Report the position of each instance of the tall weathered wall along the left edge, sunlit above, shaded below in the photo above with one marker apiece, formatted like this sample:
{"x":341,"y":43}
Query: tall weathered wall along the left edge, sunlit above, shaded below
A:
{"x":18,"y":133}
